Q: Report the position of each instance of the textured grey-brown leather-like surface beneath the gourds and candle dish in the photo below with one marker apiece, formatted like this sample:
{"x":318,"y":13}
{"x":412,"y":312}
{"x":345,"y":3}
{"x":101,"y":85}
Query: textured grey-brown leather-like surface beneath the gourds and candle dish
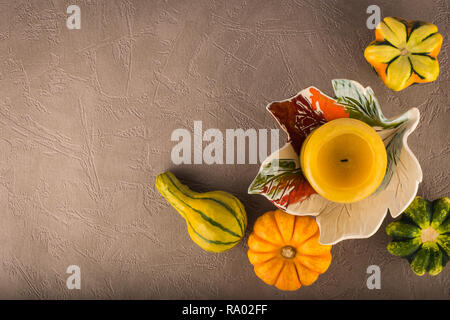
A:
{"x":85,"y":123}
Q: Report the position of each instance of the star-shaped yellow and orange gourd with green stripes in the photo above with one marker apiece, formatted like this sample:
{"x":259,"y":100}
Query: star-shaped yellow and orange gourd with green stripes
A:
{"x":404,"y":52}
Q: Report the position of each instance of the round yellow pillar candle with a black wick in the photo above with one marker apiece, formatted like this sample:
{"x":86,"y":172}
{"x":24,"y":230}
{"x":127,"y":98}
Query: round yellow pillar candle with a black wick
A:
{"x":344,"y":160}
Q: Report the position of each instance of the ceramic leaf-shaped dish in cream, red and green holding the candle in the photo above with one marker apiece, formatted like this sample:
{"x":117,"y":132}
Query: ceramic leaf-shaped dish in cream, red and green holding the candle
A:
{"x":280,"y":178}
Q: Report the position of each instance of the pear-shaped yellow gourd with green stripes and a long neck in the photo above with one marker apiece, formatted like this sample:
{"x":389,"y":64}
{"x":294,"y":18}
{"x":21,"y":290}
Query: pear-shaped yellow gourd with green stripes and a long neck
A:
{"x":216,"y":220}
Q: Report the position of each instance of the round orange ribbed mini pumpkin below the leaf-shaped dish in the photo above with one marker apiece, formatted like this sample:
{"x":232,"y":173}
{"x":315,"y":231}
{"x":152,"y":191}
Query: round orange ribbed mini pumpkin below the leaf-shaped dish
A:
{"x":285,"y":250}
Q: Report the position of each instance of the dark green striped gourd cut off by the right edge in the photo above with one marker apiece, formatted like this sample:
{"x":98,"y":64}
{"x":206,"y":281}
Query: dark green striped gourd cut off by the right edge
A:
{"x":422,"y":235}
